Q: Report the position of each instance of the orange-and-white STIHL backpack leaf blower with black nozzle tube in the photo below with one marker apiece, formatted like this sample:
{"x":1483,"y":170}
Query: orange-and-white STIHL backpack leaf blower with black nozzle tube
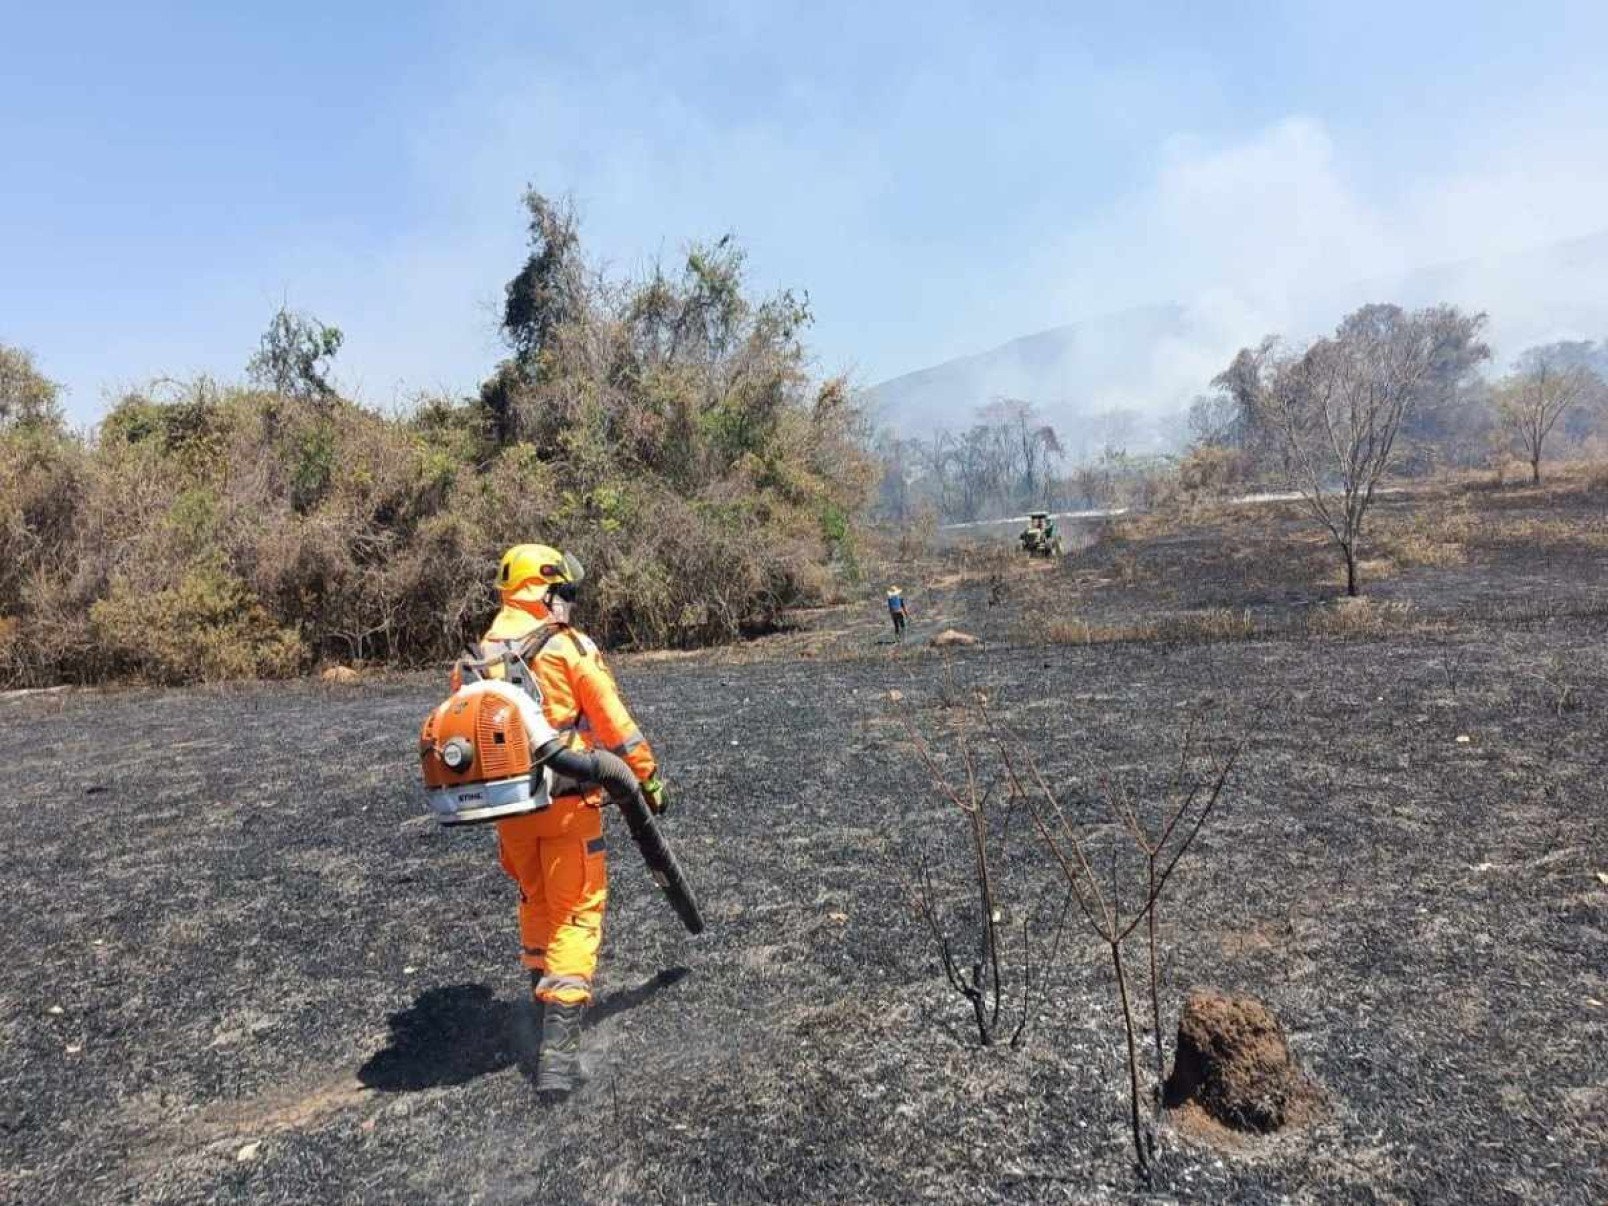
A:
{"x":488,"y":753}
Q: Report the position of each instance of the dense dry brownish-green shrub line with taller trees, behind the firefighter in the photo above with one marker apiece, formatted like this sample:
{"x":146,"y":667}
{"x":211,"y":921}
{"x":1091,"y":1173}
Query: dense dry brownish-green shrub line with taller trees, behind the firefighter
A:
{"x":665,"y":430}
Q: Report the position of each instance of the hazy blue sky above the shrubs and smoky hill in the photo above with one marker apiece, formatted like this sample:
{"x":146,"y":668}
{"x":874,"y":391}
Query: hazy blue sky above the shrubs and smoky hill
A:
{"x":938,"y":176}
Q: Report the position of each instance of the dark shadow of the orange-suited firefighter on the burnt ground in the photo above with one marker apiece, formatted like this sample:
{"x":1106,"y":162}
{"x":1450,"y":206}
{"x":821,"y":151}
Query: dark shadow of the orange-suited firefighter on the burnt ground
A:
{"x":457,"y":1033}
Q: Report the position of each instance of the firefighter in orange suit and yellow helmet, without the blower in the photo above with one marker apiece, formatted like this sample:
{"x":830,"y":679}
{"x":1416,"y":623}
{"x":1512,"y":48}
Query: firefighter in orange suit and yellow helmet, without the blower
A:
{"x":557,"y":856}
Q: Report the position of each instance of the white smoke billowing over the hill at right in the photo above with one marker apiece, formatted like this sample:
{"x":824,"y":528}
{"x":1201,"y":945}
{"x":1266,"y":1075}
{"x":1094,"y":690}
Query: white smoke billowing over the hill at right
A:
{"x":1270,"y":239}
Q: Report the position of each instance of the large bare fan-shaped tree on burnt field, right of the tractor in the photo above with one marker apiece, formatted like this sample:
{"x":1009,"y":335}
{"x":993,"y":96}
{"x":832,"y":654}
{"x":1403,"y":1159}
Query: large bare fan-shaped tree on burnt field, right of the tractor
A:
{"x":1339,"y":409}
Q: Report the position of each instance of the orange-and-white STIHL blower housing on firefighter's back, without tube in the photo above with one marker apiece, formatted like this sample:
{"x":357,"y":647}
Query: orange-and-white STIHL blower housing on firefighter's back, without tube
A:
{"x":482,"y":755}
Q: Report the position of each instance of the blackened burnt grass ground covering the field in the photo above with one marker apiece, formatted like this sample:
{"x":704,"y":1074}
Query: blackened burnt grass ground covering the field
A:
{"x":237,"y":962}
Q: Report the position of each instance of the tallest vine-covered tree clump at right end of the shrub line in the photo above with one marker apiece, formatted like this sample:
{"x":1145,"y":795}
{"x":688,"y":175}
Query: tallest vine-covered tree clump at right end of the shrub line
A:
{"x":694,"y":456}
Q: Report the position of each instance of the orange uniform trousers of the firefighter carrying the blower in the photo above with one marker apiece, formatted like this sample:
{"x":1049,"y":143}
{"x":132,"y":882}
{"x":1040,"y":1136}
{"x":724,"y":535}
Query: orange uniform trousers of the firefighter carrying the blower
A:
{"x":557,"y":858}
